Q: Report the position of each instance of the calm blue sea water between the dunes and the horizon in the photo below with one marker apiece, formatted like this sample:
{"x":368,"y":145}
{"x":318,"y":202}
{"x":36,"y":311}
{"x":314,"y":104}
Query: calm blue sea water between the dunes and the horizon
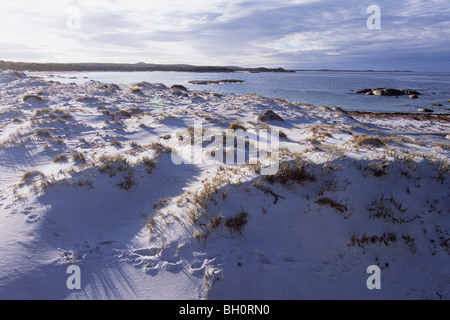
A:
{"x":332,"y":88}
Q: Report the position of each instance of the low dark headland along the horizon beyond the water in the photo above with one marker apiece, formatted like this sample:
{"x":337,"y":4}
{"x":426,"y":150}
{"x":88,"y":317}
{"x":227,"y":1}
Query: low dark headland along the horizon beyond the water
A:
{"x":141,"y":66}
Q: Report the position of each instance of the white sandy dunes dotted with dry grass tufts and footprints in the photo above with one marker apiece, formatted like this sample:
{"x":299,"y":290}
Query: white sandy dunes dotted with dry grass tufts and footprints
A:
{"x":102,"y":176}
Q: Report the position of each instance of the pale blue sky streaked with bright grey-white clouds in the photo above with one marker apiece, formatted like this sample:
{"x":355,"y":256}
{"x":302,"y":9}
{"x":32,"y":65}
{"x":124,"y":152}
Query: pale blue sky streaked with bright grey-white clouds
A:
{"x":414,"y":34}
